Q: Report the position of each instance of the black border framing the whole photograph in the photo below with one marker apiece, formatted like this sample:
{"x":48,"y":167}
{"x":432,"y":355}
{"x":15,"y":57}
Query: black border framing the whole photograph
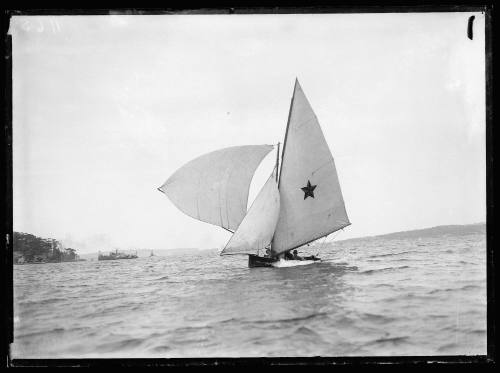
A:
{"x":488,"y":360}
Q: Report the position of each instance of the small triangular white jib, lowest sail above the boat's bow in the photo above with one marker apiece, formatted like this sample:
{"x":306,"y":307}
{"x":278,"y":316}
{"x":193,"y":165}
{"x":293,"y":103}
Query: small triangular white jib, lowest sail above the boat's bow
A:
{"x":257,"y":228}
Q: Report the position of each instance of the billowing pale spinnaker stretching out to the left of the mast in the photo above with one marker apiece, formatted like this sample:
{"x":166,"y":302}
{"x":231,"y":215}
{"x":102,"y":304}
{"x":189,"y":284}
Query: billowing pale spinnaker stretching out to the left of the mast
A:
{"x":214,"y":187}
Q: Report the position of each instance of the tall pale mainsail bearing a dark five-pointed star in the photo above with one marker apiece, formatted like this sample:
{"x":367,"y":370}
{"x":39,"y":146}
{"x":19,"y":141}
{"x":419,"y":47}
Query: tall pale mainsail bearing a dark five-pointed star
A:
{"x":311,"y":203}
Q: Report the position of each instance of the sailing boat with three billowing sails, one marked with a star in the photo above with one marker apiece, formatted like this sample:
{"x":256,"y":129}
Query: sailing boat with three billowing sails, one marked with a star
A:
{"x":296,"y":206}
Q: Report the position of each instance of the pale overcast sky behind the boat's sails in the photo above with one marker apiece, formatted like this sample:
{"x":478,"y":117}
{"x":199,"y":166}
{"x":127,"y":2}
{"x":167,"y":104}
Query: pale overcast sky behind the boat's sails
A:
{"x":106,"y":108}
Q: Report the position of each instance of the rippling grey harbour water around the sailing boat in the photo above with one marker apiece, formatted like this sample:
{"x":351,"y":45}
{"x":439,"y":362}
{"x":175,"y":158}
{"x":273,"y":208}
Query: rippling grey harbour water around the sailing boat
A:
{"x":423,"y":296}
